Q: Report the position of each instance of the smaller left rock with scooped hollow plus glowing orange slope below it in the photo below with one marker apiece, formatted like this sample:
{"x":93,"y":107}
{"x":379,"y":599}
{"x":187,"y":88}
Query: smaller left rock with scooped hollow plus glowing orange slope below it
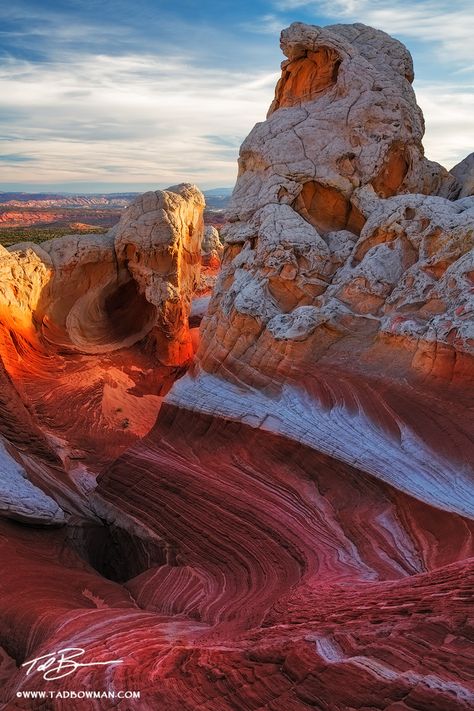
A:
{"x":93,"y":331}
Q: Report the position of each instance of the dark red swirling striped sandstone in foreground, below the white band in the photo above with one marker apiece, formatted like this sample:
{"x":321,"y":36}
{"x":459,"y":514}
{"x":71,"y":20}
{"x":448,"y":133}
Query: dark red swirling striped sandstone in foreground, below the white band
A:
{"x":287,"y":580}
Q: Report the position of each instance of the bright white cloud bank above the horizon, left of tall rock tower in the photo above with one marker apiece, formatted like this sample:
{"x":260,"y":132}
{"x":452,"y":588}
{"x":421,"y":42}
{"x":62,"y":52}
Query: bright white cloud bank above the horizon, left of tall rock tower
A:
{"x":129,"y":119}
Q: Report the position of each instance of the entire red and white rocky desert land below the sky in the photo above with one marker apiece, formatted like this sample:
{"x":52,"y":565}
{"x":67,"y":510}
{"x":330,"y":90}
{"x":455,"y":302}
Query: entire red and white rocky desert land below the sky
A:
{"x":236,"y":433}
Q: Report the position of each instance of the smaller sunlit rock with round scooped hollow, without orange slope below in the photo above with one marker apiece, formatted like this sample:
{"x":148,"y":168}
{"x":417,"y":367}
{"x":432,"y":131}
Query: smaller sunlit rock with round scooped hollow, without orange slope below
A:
{"x":97,"y":294}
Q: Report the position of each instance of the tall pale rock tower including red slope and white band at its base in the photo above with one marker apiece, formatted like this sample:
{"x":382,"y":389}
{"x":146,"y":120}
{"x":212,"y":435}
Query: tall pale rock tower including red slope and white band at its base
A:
{"x":348,"y":263}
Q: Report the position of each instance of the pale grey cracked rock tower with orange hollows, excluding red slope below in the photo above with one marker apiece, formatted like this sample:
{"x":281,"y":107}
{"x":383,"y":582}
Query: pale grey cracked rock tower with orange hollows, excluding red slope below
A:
{"x":338,"y":222}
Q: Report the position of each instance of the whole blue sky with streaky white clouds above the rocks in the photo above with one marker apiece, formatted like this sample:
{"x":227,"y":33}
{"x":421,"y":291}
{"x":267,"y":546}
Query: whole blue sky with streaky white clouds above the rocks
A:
{"x":118,"y":95}
